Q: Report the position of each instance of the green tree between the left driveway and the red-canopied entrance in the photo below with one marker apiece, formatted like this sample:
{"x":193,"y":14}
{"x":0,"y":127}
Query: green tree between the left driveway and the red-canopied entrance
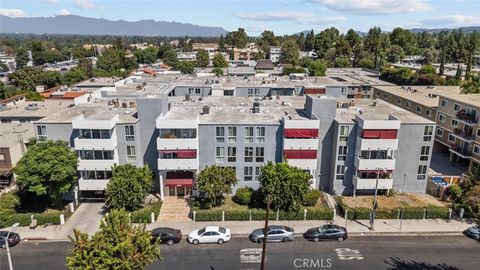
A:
{"x":129,"y":187}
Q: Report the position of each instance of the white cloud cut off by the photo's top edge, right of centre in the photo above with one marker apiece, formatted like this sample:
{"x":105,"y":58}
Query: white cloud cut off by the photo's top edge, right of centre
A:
{"x":375,"y":7}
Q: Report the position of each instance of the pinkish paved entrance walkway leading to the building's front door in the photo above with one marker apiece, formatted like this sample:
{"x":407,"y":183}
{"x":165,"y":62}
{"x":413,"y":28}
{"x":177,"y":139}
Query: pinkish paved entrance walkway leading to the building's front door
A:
{"x":174,"y":210}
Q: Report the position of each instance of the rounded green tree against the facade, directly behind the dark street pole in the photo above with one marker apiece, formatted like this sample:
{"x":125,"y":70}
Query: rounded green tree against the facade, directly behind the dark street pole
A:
{"x":285,"y":185}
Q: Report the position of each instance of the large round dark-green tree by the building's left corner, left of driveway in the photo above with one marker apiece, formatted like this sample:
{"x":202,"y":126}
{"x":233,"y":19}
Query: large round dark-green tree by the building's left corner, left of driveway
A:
{"x":48,"y":169}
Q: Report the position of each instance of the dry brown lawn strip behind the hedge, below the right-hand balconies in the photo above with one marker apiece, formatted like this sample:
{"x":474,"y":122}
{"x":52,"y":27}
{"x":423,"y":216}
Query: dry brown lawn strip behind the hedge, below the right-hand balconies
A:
{"x":394,"y":202}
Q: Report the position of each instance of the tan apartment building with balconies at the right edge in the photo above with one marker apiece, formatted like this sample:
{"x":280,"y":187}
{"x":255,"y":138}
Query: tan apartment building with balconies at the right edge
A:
{"x":455,"y":114}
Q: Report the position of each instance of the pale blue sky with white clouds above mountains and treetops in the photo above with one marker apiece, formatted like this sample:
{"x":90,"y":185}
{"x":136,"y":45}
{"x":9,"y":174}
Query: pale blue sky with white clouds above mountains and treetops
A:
{"x":280,"y":16}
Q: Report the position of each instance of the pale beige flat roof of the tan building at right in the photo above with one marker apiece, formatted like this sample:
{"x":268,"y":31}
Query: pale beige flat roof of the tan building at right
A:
{"x":425,"y":95}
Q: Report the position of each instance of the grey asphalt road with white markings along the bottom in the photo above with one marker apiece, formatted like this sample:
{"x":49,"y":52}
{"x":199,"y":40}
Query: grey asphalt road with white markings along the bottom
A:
{"x":373,"y":252}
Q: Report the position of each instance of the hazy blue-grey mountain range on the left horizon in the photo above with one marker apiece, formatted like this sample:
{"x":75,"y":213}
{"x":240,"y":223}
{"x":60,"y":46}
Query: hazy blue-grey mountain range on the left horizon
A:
{"x":78,"y":25}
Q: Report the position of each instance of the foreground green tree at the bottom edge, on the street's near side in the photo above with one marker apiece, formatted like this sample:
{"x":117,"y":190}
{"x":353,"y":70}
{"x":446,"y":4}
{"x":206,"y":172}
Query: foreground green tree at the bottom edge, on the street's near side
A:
{"x":117,"y":245}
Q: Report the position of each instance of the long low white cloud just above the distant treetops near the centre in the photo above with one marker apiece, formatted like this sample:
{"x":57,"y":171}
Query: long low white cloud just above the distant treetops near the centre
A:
{"x":296,"y":16}
